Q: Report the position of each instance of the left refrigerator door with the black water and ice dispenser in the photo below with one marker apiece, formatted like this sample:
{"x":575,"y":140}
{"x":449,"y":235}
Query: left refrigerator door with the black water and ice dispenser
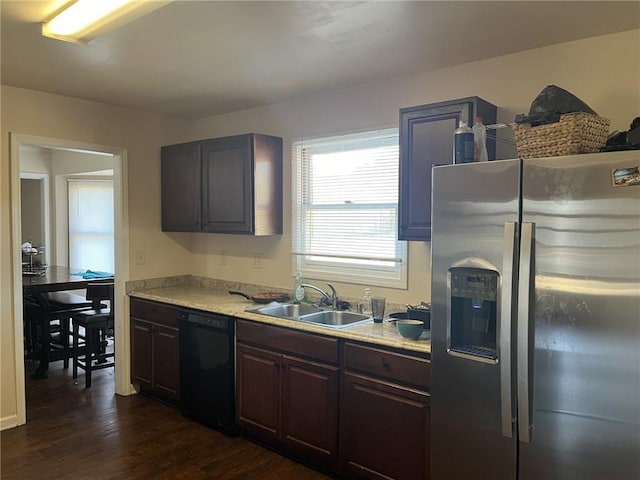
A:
{"x":474,"y":222}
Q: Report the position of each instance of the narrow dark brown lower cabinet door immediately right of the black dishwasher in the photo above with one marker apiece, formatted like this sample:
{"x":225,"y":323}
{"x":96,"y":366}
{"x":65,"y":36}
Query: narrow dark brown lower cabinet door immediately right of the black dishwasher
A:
{"x":258,"y":391}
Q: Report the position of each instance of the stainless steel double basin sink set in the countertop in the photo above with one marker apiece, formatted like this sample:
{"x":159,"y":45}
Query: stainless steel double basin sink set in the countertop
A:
{"x":313,"y":314}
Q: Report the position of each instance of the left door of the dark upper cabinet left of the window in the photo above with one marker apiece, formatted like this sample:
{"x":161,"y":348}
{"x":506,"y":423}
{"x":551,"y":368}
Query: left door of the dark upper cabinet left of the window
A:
{"x":181,"y":183}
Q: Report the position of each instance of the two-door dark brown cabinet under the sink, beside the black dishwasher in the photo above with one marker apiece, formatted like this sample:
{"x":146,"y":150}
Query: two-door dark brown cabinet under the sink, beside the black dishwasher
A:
{"x":287,"y":391}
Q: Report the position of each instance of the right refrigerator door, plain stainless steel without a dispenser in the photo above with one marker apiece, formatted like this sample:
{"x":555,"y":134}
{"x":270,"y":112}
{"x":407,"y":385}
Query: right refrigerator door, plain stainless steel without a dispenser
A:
{"x":585,"y":341}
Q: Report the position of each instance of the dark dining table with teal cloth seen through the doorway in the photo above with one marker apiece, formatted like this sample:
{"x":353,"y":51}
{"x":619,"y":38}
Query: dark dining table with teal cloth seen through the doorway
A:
{"x":54,"y":279}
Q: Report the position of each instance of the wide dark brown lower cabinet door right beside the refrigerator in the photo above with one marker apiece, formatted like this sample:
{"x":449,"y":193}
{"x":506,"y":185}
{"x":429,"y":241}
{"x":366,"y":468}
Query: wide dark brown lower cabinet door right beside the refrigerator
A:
{"x":384,"y":430}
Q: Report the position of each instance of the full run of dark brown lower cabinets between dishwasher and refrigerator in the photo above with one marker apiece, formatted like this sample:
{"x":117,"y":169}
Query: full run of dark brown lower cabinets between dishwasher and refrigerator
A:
{"x":364,"y":414}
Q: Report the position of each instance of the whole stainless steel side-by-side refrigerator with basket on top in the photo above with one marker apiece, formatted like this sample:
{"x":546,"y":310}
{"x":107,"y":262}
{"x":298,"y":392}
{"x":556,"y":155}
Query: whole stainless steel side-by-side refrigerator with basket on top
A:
{"x":536,"y":319}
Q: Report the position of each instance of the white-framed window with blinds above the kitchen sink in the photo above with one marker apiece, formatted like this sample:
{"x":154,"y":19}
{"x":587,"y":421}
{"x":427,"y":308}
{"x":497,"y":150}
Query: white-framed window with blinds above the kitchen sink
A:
{"x":345,"y":209}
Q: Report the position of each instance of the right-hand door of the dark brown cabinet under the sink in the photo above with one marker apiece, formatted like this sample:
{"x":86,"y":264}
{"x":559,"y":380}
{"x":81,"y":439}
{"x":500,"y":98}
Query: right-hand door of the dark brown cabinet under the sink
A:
{"x":310,"y":410}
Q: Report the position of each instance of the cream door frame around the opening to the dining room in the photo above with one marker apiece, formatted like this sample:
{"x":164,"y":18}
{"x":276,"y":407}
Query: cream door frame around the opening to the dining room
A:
{"x":121,"y":241}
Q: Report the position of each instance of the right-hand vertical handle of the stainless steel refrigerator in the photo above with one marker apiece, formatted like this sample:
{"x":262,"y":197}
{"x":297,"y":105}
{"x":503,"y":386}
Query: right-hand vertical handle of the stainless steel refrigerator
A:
{"x":525,"y":284}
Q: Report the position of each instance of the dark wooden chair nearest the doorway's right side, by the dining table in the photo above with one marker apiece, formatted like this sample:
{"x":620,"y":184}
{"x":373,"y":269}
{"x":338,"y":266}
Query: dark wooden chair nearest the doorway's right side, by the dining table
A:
{"x":95,"y":322}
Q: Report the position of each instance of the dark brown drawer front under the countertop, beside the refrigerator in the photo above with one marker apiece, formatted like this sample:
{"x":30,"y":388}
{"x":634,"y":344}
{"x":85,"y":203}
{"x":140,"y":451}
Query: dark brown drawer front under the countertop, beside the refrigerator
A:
{"x":392,"y":366}
